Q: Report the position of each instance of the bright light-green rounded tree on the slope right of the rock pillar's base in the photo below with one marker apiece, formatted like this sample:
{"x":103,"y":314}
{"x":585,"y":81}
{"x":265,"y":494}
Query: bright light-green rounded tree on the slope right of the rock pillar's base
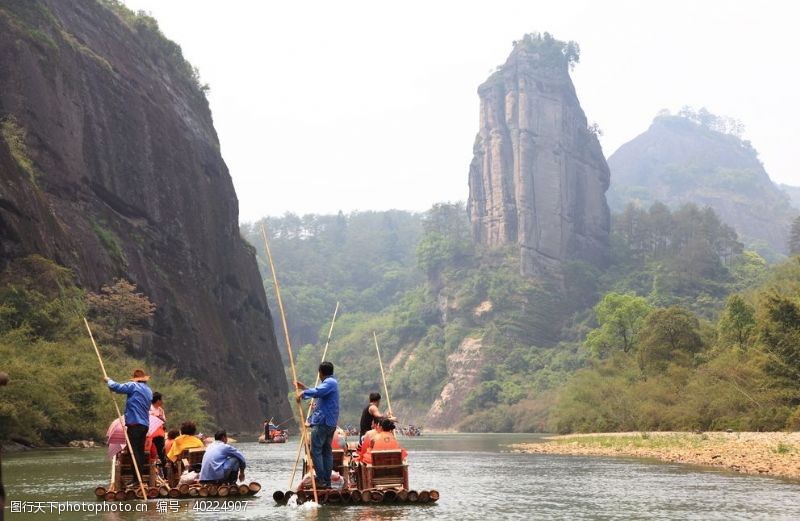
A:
{"x":620,"y":318}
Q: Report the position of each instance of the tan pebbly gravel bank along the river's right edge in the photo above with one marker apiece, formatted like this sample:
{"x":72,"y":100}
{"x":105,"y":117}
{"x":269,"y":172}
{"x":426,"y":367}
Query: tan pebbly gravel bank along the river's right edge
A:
{"x":767,"y":453}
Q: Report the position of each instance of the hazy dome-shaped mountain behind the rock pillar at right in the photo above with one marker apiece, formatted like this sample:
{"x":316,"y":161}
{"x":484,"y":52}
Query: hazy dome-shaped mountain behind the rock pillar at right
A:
{"x":682,"y":159}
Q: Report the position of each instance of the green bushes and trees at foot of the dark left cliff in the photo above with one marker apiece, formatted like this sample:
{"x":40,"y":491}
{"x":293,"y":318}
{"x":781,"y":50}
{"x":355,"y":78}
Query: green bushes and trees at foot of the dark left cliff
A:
{"x":56,"y":393}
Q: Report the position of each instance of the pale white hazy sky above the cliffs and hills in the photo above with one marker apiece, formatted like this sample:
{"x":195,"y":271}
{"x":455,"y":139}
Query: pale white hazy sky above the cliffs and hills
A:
{"x":327,"y":106}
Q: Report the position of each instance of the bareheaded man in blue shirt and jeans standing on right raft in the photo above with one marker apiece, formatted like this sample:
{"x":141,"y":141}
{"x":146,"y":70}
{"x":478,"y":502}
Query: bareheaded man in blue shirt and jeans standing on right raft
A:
{"x":323,"y":421}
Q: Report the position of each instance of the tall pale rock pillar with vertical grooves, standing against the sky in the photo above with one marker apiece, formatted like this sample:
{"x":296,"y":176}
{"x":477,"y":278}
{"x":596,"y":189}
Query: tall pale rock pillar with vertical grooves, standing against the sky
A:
{"x":538,"y":177}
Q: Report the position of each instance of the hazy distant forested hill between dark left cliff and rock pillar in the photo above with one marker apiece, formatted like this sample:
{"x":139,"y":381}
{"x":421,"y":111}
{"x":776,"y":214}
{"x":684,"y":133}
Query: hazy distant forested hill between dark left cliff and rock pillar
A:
{"x":364,"y":260}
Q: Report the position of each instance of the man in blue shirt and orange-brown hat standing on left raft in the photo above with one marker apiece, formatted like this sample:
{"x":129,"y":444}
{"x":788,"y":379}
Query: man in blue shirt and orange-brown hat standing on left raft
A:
{"x":137,"y":414}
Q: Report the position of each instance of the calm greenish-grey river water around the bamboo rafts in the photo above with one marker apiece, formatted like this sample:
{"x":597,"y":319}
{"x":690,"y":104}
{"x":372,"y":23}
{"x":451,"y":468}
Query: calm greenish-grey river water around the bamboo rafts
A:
{"x":475,"y":475}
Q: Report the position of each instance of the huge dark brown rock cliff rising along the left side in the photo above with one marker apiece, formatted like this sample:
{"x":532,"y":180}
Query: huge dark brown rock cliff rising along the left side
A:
{"x":110,"y":165}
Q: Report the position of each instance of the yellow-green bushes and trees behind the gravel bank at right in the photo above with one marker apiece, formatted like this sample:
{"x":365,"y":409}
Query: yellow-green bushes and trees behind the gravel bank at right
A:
{"x":666,"y":368}
